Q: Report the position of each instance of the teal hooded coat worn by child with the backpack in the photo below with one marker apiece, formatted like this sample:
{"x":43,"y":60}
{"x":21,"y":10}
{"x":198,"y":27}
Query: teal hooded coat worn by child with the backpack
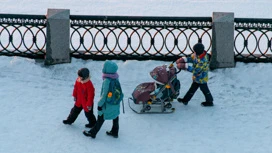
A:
{"x":109,"y":111}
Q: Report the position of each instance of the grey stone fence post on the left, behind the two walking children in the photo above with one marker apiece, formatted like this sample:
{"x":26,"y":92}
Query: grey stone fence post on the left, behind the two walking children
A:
{"x":58,"y":36}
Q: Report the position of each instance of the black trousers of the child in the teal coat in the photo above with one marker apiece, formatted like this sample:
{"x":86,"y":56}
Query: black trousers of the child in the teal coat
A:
{"x":99,"y":123}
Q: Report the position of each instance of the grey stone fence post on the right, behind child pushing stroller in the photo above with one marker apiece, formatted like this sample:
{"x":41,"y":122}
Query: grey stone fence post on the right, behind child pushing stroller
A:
{"x":222,"y":40}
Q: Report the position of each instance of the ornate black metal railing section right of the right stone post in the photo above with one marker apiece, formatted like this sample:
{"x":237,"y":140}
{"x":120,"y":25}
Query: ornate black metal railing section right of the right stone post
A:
{"x":252,"y":40}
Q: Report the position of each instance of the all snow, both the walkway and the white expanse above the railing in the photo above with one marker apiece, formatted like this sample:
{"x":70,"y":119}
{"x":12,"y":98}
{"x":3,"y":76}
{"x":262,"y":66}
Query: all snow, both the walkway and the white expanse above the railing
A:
{"x":36,"y":98}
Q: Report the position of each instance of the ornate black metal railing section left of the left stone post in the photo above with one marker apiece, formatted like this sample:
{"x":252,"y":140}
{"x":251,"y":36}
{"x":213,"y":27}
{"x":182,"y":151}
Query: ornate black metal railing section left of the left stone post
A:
{"x":22,"y":35}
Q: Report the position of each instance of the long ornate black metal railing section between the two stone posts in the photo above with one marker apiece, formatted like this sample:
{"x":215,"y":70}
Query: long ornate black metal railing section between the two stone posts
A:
{"x":121,"y":37}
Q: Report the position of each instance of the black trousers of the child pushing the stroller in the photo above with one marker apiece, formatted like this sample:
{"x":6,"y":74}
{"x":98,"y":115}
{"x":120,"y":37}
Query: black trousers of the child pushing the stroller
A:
{"x":203,"y":87}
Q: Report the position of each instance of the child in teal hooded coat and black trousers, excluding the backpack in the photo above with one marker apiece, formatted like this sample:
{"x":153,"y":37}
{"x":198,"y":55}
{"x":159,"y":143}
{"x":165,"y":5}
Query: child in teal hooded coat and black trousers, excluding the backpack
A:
{"x":106,"y":111}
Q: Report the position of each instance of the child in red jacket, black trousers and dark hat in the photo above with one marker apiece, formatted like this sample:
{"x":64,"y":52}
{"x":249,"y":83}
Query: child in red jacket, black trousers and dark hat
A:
{"x":83,"y":94}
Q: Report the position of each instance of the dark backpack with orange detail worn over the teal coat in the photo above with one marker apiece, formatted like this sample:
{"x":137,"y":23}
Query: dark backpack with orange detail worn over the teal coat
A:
{"x":115,"y":94}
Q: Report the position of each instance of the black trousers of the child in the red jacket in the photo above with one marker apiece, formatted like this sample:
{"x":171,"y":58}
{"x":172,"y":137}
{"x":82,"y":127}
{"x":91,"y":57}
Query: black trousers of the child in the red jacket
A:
{"x":75,"y":111}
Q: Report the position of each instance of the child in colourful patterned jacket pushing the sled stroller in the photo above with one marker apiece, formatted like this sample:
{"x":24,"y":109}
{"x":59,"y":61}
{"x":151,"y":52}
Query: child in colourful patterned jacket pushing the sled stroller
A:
{"x":199,"y":69}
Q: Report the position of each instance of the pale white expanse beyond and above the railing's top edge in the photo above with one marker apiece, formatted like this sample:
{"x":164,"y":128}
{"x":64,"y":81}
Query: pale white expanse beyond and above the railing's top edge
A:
{"x":241,"y":8}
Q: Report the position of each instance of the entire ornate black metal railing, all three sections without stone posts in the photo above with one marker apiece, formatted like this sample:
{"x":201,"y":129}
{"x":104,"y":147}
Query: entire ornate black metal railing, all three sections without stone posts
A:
{"x":131,"y":37}
